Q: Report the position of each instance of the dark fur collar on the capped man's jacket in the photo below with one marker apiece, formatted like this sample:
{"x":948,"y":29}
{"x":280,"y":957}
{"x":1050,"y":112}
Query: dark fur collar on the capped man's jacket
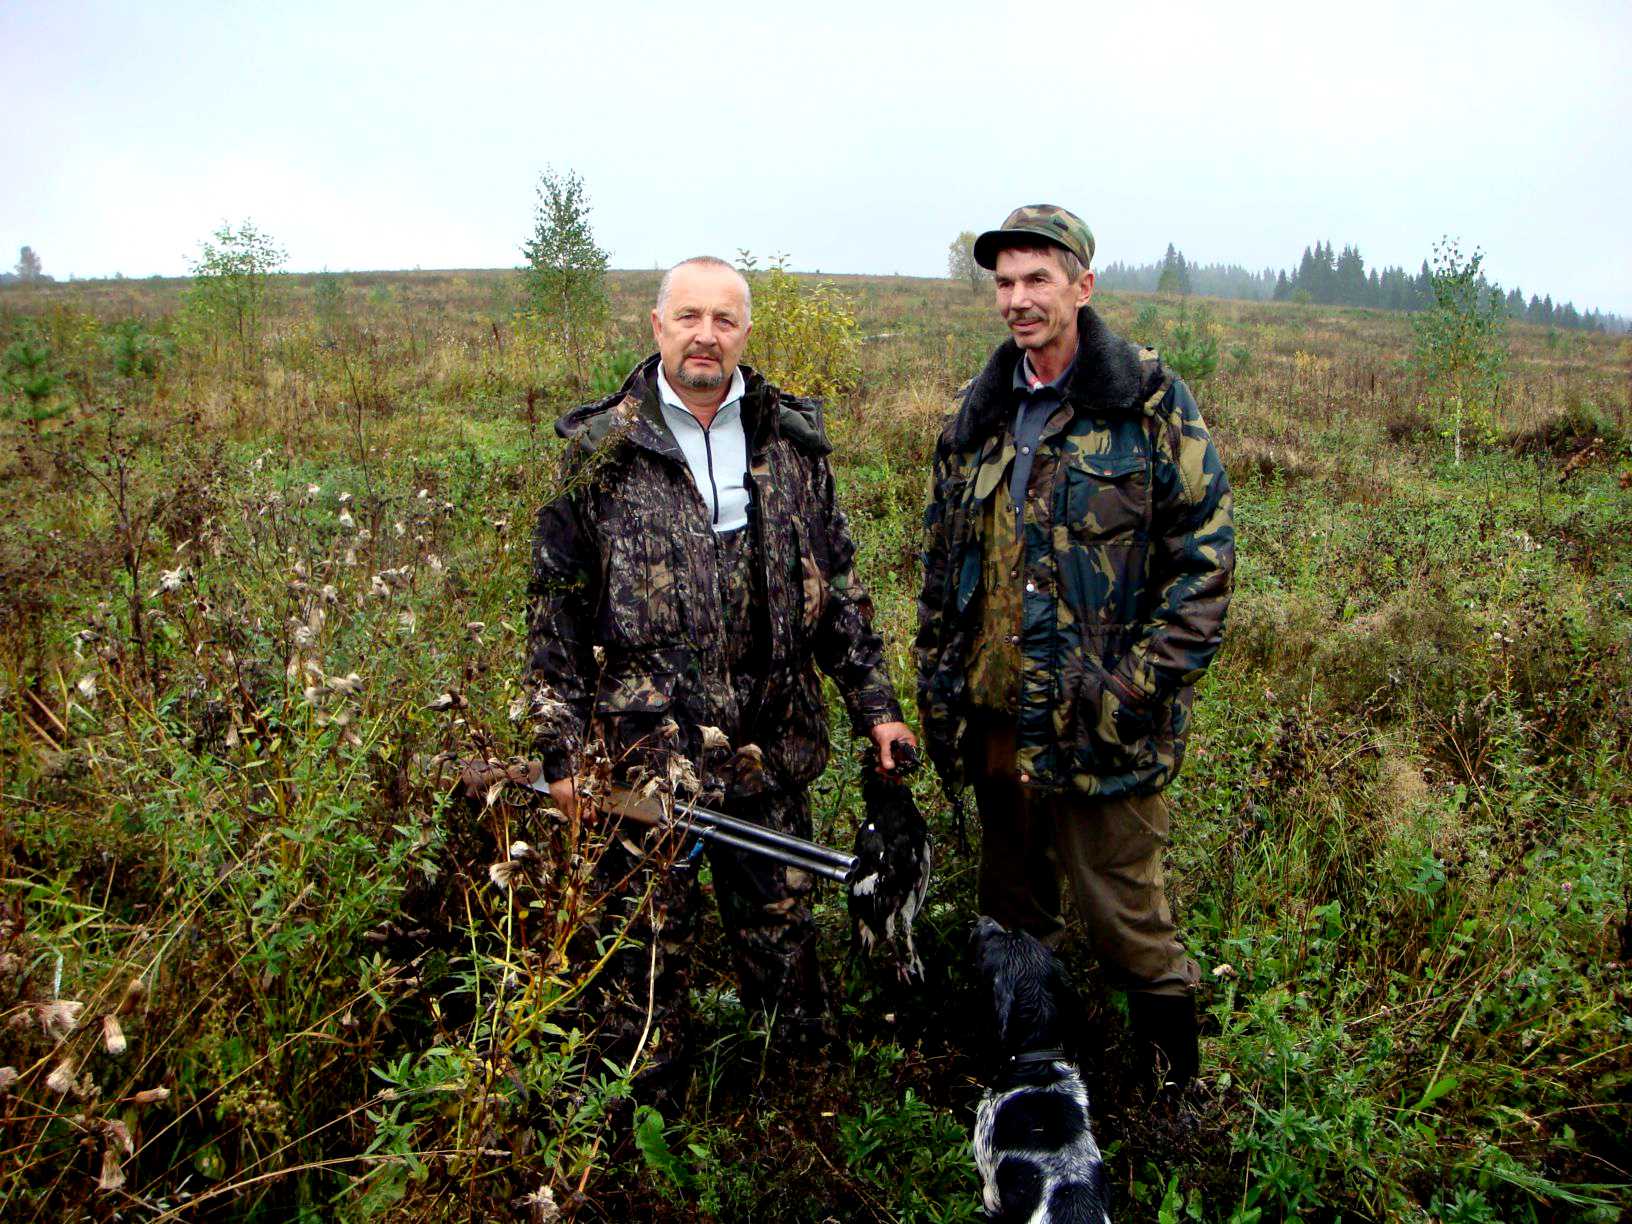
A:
{"x":1111,"y":379}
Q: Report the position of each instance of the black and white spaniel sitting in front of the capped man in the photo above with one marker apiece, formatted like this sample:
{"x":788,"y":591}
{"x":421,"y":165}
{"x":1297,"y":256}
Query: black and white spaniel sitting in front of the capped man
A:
{"x":1032,"y":1142}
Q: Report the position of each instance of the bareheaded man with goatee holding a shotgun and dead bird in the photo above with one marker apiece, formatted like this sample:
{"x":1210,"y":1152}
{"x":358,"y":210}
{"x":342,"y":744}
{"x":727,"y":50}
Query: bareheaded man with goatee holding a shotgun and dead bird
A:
{"x":699,"y":551}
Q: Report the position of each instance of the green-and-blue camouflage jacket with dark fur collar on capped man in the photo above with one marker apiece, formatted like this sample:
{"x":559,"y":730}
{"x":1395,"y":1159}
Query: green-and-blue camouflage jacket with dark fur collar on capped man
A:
{"x":1129,"y":559}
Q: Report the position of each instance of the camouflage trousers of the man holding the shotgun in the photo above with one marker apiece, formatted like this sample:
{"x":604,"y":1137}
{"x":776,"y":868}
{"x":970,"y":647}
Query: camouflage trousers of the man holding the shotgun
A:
{"x":642,"y":995}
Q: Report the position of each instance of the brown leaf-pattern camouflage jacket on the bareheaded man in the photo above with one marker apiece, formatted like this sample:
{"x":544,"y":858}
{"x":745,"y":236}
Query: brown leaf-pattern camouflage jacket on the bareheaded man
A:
{"x":624,"y":567}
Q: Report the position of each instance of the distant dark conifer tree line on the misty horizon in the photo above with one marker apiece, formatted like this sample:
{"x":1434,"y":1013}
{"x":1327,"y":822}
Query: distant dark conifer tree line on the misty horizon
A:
{"x":1337,"y":278}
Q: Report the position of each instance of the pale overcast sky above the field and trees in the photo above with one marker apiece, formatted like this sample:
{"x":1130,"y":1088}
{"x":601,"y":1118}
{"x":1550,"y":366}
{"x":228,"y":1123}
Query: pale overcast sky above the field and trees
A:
{"x":859,"y":138}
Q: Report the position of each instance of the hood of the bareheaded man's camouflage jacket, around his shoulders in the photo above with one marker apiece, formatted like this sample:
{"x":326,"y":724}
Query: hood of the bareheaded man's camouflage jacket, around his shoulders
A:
{"x":632,"y":414}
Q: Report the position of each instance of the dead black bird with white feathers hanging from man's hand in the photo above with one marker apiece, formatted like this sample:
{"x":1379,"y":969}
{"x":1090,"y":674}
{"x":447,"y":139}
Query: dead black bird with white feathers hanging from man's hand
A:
{"x":892,"y":872}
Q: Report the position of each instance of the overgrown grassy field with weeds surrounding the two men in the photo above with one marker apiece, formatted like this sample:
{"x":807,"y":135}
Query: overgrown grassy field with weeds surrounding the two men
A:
{"x":255,"y":600}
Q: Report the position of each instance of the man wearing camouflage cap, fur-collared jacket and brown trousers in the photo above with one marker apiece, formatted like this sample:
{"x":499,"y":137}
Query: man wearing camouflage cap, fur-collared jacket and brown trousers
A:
{"x":1078,"y":564}
